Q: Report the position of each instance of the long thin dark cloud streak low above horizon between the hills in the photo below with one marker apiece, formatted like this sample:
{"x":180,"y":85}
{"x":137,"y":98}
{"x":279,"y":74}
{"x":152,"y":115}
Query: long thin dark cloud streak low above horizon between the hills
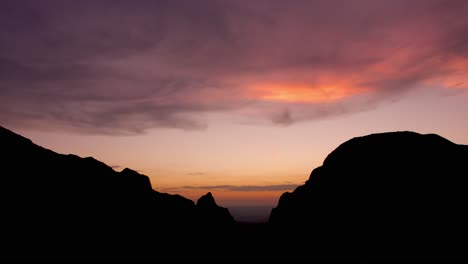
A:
{"x":240,"y":188}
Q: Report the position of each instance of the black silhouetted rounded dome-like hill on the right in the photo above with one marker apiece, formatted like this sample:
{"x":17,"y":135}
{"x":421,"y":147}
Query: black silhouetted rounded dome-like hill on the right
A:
{"x":390,"y":194}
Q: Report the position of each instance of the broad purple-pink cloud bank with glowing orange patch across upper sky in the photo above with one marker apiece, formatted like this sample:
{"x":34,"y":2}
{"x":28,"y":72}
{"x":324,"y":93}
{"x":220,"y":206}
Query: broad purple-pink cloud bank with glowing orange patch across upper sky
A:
{"x":115,"y":67}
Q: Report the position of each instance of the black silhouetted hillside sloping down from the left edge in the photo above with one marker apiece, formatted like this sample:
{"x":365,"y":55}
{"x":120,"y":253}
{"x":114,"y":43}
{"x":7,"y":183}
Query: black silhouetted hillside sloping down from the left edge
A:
{"x":53,"y":204}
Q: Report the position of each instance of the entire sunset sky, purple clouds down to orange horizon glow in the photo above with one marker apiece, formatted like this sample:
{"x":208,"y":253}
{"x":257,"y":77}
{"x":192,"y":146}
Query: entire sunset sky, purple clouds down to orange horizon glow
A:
{"x":240,"y":98}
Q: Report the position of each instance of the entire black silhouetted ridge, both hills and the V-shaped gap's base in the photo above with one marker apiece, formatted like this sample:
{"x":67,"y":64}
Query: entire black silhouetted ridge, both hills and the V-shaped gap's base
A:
{"x":390,"y":195}
